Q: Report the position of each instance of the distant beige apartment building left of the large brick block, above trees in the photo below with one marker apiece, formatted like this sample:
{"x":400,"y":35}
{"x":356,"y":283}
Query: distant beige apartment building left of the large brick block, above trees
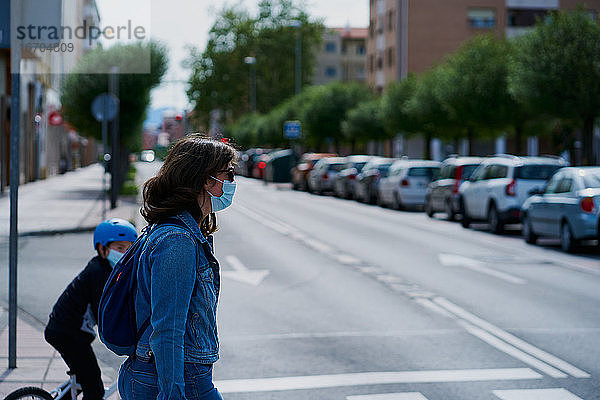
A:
{"x":342,"y":56}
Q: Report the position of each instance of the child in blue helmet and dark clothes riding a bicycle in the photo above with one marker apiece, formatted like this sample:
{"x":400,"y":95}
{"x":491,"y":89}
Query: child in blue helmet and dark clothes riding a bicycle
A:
{"x":70,"y":329}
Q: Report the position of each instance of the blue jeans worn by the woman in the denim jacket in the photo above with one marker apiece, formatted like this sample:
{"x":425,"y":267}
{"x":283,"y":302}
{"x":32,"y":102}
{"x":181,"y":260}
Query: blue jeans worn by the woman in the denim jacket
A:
{"x":138,"y":380}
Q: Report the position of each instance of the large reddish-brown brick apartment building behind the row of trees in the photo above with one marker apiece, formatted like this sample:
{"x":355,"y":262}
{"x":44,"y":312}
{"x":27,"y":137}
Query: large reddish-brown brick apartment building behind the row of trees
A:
{"x":410,"y":36}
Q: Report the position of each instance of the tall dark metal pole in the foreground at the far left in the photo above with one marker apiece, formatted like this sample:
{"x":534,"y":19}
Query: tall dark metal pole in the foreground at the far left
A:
{"x":15,"y":114}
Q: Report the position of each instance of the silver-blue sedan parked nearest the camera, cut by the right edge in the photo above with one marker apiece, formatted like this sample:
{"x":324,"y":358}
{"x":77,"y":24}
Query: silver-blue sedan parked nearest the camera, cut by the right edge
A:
{"x":568,"y":208}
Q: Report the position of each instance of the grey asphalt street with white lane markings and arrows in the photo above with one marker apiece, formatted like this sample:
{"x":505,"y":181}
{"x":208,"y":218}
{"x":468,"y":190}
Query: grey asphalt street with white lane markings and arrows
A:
{"x":324,"y":298}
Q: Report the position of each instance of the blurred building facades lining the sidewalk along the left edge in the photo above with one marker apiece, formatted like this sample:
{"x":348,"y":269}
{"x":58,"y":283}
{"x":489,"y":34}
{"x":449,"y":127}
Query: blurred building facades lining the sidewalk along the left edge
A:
{"x":45,"y":148}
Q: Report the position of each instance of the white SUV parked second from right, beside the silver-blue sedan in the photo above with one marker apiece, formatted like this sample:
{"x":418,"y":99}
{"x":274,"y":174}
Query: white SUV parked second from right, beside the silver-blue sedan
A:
{"x":500,"y":185}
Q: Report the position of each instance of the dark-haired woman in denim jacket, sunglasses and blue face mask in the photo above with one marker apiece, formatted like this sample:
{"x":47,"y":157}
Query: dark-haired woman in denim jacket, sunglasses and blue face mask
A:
{"x":178,"y":275}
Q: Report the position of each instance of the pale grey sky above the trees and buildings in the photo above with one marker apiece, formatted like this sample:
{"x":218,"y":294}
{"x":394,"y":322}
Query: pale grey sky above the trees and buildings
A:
{"x":181,"y":22}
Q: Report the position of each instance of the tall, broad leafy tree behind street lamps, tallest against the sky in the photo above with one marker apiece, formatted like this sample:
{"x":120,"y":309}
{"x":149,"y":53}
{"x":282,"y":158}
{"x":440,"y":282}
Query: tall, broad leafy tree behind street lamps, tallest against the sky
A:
{"x":221,"y":80}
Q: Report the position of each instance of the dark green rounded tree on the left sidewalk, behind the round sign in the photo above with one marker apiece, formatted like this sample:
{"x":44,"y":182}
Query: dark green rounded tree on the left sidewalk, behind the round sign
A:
{"x":81,"y":87}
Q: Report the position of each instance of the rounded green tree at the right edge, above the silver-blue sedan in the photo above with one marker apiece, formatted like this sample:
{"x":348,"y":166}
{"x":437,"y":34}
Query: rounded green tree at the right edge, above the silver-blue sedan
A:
{"x":556,"y":71}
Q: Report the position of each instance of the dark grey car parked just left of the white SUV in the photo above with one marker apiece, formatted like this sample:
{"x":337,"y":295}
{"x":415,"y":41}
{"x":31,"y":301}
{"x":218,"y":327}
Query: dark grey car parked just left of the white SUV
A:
{"x":442,"y":193}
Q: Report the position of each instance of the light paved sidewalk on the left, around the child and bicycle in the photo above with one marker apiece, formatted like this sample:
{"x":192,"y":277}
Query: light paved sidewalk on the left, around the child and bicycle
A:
{"x":60,"y":204}
